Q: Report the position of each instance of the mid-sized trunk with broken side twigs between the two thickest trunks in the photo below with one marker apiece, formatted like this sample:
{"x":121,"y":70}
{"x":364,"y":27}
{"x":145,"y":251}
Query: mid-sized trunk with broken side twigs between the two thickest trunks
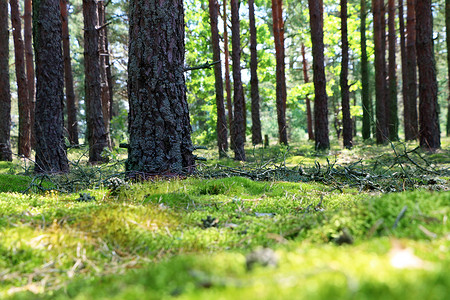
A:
{"x":96,"y":132}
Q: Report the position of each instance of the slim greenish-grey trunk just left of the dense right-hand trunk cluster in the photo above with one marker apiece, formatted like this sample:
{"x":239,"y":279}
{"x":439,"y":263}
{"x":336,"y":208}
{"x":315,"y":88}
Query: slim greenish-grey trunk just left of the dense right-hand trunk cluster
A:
{"x":365,"y":93}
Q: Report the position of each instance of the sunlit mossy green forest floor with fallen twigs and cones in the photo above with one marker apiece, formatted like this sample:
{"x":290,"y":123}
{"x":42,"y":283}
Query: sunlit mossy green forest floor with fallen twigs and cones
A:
{"x":291,"y":223}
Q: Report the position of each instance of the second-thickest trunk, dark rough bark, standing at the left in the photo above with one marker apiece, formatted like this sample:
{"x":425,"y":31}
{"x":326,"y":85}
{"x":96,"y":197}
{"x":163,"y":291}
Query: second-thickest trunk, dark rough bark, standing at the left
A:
{"x":49,"y":122}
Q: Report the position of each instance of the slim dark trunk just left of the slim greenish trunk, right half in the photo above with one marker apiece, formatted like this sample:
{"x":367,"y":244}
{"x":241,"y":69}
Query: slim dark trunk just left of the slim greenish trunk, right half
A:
{"x":345,"y":93}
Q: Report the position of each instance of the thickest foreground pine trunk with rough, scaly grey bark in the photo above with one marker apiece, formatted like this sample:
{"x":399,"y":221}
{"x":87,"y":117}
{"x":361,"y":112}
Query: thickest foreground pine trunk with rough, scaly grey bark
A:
{"x":160,"y":139}
